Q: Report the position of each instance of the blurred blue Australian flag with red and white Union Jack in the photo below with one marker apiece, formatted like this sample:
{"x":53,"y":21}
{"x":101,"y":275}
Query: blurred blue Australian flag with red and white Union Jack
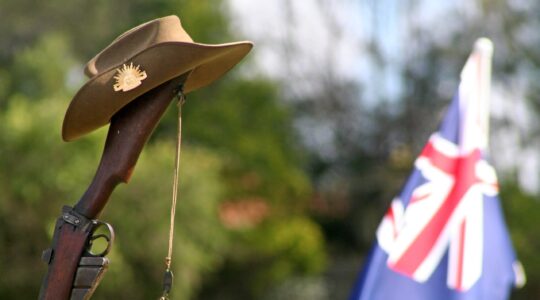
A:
{"x":444,"y":235}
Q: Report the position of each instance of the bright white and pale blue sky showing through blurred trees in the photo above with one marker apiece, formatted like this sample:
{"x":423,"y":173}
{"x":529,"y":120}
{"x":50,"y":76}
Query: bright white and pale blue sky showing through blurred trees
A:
{"x":310,"y":28}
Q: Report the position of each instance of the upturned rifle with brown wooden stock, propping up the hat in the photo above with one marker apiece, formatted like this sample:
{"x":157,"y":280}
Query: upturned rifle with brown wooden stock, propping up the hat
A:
{"x":74,"y":271}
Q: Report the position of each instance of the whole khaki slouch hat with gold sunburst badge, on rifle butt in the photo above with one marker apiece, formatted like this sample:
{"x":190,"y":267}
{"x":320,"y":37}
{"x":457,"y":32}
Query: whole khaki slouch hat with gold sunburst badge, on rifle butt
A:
{"x":140,"y":60}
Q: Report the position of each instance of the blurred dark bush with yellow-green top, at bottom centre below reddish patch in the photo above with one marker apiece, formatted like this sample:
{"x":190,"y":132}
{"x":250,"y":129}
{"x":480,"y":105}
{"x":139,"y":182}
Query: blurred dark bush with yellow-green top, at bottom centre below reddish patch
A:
{"x":266,"y":257}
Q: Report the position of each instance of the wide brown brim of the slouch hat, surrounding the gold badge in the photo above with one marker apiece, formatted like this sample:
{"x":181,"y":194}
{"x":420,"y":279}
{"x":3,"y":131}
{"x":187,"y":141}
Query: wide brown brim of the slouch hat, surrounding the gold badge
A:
{"x":96,"y":102}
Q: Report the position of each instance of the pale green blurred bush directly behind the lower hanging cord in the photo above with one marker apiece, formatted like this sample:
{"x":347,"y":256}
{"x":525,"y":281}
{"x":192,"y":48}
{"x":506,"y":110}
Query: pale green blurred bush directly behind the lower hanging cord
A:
{"x":140,"y":213}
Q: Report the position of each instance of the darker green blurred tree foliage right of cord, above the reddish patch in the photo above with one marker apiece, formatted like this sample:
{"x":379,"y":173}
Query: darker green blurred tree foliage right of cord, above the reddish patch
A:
{"x":243,"y":120}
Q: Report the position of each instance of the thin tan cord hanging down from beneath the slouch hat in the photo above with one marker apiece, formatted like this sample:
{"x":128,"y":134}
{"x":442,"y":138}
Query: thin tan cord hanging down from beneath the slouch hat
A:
{"x":168,"y":275}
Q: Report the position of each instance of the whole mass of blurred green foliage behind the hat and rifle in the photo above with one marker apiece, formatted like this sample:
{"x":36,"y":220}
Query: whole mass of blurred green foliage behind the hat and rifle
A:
{"x":238,"y":143}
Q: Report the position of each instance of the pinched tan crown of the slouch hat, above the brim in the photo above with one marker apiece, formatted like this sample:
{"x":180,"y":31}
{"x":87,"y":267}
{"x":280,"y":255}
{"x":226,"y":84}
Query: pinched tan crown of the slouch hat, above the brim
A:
{"x":135,"y":40}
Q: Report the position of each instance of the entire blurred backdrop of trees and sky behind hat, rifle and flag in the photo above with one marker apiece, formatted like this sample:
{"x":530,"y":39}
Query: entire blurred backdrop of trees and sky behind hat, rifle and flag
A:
{"x":289,"y":161}
